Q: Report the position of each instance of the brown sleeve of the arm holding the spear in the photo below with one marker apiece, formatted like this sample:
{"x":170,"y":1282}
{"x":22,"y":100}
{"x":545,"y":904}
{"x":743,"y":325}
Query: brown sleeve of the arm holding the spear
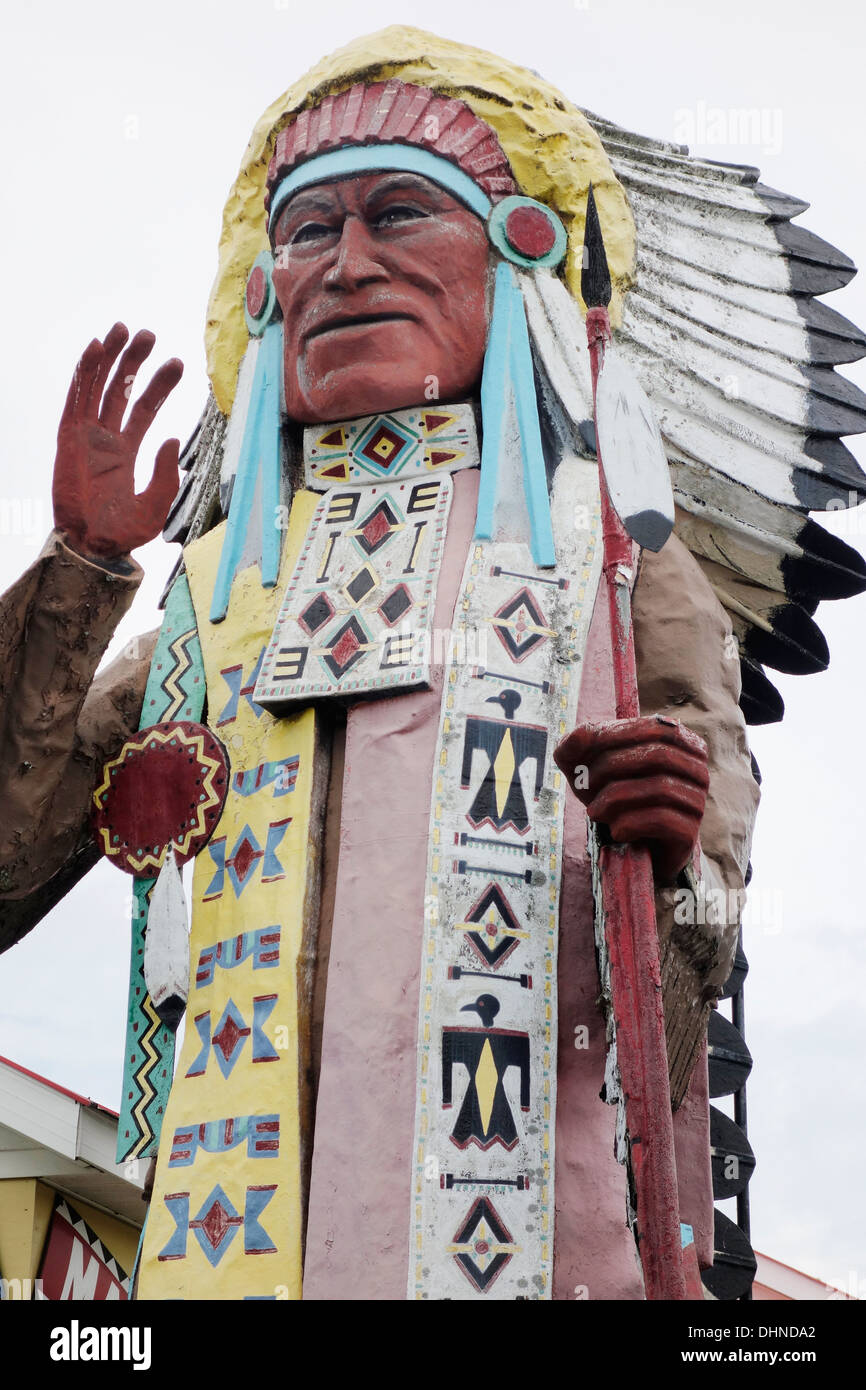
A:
{"x":689,"y":669}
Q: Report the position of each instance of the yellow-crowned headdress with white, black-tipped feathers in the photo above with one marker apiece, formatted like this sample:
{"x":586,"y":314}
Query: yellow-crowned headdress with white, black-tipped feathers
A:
{"x":715,"y":304}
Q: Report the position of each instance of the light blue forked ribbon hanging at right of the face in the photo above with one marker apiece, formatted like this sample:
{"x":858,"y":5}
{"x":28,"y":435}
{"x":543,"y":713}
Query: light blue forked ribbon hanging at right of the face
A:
{"x":508,"y":372}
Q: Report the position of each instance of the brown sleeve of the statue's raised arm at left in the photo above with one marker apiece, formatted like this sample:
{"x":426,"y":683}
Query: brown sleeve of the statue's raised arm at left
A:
{"x":58,"y":725}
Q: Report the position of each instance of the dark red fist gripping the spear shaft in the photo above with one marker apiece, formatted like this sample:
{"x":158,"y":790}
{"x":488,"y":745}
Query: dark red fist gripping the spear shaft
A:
{"x":646,"y":779}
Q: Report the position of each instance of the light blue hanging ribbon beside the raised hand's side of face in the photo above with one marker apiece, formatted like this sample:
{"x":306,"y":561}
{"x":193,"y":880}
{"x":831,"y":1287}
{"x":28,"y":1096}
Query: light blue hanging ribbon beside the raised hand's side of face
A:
{"x":258,"y":468}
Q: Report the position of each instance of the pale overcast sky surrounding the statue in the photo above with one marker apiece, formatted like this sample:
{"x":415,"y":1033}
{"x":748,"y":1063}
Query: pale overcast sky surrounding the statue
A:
{"x":123,"y":129}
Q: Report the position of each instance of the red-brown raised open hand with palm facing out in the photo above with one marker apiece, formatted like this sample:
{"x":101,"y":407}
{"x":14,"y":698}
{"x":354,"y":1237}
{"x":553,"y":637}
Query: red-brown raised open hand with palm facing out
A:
{"x":95,"y":500}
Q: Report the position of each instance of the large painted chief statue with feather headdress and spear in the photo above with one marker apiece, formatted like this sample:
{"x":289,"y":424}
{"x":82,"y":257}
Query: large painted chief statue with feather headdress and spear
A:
{"x":446,"y":1029}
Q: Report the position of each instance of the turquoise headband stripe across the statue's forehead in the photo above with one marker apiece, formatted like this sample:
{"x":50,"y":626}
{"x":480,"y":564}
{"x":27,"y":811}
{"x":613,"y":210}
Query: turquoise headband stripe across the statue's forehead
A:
{"x":369,"y":159}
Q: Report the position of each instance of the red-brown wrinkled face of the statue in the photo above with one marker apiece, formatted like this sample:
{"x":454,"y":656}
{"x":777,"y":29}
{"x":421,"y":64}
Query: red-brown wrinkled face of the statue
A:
{"x":383,"y":287}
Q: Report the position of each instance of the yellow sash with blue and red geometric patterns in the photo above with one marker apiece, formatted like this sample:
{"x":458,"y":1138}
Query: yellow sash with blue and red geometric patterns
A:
{"x":227,"y":1213}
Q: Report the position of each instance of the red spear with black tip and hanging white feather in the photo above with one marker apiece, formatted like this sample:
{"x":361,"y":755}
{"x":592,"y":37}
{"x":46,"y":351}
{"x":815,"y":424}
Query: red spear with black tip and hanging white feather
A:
{"x":635,"y":483}
